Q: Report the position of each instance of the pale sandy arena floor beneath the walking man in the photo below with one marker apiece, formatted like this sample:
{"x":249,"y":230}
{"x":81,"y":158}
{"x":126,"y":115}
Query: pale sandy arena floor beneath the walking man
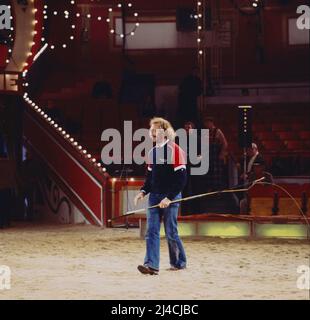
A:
{"x":85,"y":262}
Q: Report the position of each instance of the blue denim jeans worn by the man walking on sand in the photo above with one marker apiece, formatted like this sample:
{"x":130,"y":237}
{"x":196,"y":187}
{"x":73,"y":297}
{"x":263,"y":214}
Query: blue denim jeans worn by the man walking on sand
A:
{"x":152,"y":237}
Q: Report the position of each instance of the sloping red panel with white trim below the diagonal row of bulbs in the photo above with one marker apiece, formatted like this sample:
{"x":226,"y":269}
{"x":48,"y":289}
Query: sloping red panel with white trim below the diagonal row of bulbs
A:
{"x":88,"y":189}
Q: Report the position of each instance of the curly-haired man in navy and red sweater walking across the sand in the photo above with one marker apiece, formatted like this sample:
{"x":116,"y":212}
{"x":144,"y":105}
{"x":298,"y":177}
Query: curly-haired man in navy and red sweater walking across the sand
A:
{"x":166,"y":178}
